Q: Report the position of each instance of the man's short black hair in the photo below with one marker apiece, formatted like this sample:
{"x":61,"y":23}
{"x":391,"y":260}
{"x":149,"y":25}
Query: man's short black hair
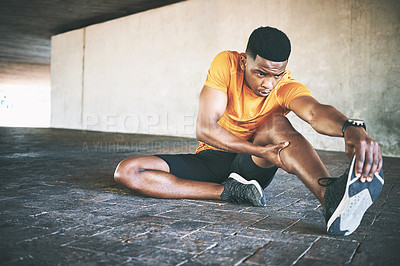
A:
{"x":269,"y":43}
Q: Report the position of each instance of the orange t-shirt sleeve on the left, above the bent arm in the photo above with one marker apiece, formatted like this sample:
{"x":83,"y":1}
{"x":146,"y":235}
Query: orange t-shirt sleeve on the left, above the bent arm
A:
{"x":219,"y":74}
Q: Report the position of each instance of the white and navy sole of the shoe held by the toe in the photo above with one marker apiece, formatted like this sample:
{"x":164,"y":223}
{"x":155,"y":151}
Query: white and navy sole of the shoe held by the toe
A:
{"x":357,"y":198}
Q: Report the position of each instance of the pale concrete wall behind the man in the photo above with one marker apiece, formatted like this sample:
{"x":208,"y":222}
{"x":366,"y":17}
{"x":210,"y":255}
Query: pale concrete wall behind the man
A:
{"x":143,"y":73}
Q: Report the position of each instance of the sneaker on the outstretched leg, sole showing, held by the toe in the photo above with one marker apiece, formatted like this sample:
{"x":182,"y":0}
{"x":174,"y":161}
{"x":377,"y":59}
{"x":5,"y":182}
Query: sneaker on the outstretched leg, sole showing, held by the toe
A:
{"x":347,"y":199}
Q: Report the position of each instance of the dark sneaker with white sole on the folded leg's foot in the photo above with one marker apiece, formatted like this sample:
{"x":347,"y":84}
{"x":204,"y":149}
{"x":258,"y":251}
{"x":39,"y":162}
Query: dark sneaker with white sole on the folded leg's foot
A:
{"x":239,"y":190}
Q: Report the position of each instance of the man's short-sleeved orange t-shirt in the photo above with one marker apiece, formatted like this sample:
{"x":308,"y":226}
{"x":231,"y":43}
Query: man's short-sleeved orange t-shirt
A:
{"x":245,"y":112}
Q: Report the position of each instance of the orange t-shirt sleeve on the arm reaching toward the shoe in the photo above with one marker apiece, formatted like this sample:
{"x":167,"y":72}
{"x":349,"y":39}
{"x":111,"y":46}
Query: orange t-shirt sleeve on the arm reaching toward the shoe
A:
{"x":291,"y":91}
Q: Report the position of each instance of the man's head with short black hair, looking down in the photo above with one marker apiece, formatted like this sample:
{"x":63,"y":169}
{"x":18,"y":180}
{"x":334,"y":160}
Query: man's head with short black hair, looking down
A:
{"x":267,"y":52}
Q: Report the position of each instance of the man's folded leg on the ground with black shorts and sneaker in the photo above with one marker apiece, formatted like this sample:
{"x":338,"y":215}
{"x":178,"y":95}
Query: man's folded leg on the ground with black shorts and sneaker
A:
{"x":152,"y":176}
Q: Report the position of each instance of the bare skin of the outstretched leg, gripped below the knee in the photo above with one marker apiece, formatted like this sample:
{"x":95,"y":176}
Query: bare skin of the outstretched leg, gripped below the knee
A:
{"x":299,"y":157}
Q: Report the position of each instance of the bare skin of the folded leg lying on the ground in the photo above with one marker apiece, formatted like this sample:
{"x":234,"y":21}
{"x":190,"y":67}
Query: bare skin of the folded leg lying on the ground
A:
{"x":149,"y":175}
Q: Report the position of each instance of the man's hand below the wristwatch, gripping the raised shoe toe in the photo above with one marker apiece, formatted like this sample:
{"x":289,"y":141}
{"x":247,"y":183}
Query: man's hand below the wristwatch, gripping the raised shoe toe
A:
{"x":368,"y":153}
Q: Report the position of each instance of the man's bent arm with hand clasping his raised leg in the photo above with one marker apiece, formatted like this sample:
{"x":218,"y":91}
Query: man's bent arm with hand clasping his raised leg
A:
{"x":212,"y":106}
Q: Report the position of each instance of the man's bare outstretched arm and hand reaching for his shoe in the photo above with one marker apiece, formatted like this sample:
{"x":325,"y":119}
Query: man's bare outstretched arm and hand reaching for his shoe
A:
{"x":327,"y":120}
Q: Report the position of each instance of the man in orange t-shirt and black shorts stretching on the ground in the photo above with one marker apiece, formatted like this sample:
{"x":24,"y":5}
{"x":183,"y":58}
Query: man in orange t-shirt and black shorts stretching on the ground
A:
{"x":244,"y":137}
